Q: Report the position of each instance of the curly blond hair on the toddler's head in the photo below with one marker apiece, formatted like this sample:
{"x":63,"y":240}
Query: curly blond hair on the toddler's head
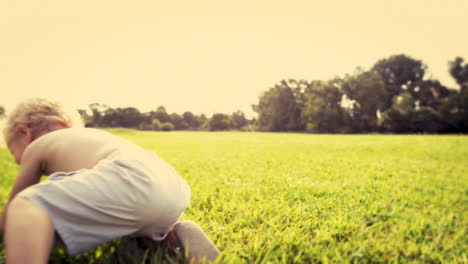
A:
{"x":37,"y":114}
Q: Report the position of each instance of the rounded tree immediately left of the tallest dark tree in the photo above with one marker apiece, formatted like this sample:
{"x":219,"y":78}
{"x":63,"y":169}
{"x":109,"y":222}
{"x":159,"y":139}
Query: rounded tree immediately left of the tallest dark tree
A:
{"x":367,"y":90}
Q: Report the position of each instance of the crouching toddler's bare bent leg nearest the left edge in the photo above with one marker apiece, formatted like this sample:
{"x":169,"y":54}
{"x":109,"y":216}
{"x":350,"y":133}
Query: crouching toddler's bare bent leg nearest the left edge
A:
{"x":29,"y":233}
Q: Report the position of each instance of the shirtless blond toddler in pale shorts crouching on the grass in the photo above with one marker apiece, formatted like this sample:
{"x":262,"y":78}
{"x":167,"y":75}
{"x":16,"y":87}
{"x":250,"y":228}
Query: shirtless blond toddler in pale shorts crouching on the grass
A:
{"x":99,"y":187}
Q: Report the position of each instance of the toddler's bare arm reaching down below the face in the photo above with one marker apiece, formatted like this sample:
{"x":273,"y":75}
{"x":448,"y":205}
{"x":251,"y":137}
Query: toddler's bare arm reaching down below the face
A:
{"x":30,"y":173}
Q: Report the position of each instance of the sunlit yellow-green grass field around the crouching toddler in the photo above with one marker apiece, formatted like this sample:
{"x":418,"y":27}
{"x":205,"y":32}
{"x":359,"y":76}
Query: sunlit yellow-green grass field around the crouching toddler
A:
{"x":301,"y":198}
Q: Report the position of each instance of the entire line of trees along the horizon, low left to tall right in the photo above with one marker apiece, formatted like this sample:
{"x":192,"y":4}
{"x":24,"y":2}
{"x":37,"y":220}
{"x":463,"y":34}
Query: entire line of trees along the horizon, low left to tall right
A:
{"x":395,"y":96}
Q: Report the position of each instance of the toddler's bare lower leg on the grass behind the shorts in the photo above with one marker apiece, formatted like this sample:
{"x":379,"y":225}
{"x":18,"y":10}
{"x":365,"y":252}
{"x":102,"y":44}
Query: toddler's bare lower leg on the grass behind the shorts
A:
{"x":187,"y":234}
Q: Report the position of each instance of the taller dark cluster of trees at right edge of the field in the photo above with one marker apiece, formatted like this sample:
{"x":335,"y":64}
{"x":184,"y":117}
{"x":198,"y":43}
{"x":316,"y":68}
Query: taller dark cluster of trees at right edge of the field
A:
{"x":394,"y":96}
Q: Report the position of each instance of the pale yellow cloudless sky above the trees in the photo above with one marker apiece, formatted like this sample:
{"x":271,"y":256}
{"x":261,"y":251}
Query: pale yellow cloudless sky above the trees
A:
{"x":210,"y":56}
